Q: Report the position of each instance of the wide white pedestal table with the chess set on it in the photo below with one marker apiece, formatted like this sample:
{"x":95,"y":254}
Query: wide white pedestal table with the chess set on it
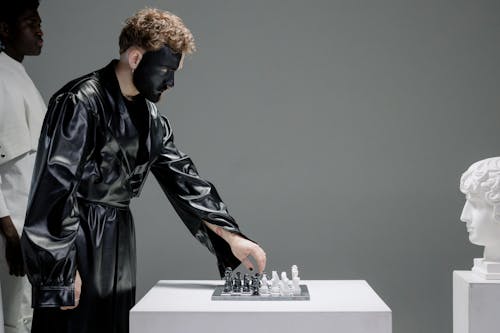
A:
{"x":335,"y":306}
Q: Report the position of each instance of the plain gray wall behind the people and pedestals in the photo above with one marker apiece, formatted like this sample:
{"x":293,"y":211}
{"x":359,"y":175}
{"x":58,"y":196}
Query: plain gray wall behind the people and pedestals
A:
{"x":336,"y":131}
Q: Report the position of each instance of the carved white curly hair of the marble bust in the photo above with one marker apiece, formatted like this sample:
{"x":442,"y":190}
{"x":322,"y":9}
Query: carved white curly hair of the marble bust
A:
{"x":483,"y":179}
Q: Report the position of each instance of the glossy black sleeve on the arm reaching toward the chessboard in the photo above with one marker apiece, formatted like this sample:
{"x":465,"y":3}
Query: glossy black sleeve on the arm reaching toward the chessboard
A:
{"x":194,"y":199}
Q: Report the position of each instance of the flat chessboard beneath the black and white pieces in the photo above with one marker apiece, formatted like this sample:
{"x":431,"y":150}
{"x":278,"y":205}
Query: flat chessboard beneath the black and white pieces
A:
{"x":220,"y":295}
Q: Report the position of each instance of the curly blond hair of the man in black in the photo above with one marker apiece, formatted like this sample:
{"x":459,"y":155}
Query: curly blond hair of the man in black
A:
{"x":152,"y":28}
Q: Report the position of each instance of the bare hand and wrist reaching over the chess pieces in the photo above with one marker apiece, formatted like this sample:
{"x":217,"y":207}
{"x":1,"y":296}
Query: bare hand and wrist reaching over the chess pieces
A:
{"x":241,"y":247}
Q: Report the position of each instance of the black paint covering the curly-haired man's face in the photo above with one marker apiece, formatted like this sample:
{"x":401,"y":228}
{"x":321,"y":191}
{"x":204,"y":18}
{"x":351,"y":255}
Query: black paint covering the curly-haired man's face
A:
{"x":155,"y":72}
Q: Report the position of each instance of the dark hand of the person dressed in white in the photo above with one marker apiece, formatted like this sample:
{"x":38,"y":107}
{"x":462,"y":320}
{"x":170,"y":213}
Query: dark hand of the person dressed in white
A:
{"x":13,"y":253}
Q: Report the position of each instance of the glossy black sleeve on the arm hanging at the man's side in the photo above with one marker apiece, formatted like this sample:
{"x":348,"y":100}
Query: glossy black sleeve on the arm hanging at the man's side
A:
{"x":52,"y":217}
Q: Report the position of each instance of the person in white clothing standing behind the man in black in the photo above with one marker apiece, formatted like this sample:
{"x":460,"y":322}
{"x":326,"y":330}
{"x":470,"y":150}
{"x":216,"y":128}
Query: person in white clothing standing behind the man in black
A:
{"x":21,"y":116}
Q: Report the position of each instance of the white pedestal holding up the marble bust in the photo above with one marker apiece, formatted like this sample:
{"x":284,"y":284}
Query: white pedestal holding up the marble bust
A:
{"x":476,"y":303}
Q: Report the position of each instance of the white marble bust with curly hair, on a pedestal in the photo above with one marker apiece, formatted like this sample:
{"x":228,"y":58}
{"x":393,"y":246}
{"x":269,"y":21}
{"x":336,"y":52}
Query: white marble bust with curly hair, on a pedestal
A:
{"x":481,"y":213}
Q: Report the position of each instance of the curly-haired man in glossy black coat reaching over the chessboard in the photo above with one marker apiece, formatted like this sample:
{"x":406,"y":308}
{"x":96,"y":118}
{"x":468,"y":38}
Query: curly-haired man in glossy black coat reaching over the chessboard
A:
{"x":101,"y":137}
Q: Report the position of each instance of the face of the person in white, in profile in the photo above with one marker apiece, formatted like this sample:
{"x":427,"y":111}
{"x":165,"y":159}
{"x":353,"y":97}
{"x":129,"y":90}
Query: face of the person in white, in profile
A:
{"x":24,"y":36}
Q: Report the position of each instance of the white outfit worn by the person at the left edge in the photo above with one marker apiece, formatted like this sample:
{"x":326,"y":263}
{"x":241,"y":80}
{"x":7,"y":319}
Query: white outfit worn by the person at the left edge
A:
{"x":21,"y":116}
